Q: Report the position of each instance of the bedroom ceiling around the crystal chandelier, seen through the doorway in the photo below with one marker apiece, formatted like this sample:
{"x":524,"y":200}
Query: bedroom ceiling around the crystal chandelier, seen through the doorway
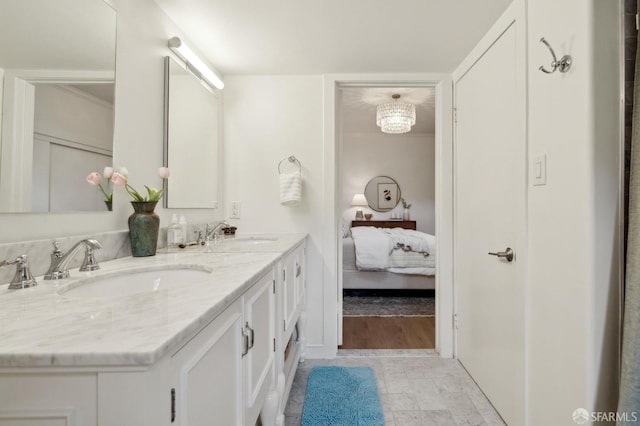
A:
{"x":359,"y":107}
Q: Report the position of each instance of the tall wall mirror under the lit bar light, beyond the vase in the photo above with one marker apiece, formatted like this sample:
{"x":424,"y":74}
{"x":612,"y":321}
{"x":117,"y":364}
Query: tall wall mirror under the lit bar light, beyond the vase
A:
{"x":191,"y":137}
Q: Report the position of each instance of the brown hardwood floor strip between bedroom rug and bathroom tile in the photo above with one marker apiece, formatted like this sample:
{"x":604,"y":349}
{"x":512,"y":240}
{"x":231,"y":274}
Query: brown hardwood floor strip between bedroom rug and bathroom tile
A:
{"x":389,"y":333}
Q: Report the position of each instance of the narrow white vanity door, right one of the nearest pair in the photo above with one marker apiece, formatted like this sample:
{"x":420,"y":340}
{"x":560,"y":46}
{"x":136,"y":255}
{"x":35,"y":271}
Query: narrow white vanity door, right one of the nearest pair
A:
{"x":259,"y":311}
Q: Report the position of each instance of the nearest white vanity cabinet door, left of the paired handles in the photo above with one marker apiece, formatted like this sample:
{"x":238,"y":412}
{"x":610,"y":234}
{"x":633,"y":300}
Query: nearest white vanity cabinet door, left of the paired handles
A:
{"x":209,"y":373}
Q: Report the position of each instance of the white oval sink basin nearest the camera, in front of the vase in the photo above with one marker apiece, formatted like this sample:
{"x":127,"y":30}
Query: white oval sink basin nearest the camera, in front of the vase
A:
{"x":135,"y":281}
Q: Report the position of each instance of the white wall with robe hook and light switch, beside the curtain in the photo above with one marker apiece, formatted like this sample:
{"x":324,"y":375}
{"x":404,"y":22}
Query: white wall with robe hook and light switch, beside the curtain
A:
{"x":573,"y":220}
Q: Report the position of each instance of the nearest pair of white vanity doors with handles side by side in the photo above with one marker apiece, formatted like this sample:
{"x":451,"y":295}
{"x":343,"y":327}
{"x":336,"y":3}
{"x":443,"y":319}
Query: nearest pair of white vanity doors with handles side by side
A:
{"x":222,"y":376}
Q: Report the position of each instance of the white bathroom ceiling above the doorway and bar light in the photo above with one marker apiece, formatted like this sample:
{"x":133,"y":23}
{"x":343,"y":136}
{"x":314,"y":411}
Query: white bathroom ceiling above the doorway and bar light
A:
{"x":334,"y":36}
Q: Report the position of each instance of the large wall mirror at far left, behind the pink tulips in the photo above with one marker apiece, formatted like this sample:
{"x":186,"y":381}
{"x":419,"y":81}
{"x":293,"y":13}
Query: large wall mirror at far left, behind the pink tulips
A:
{"x":57,"y":68}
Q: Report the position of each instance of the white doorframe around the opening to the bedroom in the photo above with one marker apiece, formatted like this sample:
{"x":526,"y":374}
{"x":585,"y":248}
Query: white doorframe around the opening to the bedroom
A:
{"x":332,"y":278}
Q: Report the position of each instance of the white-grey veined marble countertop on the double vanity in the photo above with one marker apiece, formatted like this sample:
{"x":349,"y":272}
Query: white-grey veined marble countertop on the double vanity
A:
{"x":44,"y":327}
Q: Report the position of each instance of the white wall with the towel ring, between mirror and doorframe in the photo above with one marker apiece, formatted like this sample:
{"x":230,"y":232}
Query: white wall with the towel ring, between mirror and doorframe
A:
{"x":268,"y":118}
